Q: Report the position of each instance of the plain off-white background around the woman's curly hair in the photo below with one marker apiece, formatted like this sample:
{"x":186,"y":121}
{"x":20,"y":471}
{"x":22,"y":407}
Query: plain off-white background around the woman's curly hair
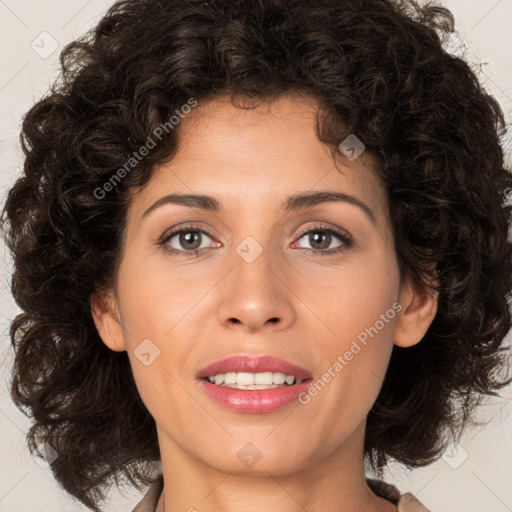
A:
{"x":473,"y":476}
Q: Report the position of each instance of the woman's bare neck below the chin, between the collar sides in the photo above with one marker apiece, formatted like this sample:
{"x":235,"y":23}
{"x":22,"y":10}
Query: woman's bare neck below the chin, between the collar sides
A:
{"x":332,"y":484}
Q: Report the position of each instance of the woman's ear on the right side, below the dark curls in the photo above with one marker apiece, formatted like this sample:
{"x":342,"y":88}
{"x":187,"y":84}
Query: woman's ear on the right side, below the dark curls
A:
{"x":419,"y":307}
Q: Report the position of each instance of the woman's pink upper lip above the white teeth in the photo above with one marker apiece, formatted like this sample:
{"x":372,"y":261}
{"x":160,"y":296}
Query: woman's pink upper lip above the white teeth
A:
{"x":260,"y":364}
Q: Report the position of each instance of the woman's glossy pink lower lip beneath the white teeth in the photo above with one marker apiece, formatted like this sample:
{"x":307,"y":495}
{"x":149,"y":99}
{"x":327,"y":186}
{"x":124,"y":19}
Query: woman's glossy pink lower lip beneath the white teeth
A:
{"x":255,"y":400}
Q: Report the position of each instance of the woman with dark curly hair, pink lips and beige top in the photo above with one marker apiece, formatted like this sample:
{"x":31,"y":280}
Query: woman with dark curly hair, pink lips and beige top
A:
{"x":340,"y":180}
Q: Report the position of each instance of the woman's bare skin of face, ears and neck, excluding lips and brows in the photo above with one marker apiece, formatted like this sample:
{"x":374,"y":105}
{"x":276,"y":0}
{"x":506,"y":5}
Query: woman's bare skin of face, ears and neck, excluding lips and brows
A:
{"x":200,"y":308}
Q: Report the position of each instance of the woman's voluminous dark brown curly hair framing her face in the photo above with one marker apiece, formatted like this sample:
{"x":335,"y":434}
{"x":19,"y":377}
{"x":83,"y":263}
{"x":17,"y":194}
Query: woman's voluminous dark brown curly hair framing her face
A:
{"x":376,"y":68}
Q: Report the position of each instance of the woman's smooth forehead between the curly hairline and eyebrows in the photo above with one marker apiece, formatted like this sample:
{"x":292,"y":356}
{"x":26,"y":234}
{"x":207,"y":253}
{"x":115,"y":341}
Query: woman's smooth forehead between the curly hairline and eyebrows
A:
{"x":256,"y":158}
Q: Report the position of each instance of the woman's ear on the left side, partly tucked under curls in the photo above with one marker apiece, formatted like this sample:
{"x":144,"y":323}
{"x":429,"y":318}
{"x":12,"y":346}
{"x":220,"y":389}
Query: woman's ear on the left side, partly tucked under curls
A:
{"x":106,"y":318}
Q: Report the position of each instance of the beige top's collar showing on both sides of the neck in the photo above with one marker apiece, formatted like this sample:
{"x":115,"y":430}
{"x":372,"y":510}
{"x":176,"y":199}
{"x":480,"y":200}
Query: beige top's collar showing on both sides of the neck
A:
{"x":404,"y":502}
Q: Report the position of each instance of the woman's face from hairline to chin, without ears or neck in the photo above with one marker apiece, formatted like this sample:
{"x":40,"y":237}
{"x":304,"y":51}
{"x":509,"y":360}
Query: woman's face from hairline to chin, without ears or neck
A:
{"x":259,"y":286}
